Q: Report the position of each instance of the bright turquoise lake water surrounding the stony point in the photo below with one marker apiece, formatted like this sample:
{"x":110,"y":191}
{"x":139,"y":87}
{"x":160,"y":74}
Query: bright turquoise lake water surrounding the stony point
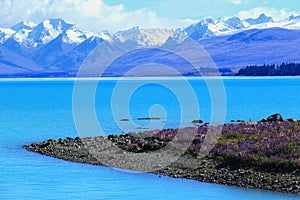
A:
{"x":36,"y":110}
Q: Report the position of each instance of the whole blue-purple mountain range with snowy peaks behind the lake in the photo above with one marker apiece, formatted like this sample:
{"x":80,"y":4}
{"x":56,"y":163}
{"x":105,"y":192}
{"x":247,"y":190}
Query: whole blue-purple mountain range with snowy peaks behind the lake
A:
{"x":57,"y":48}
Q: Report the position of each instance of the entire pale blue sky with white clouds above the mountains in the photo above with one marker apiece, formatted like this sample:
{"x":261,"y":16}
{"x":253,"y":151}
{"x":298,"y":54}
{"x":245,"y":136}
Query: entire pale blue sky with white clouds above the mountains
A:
{"x":114,"y":15}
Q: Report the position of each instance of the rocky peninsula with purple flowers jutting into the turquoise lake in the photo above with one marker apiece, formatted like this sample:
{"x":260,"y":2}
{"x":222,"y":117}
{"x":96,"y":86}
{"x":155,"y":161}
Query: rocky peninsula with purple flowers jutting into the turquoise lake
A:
{"x":261,"y":155}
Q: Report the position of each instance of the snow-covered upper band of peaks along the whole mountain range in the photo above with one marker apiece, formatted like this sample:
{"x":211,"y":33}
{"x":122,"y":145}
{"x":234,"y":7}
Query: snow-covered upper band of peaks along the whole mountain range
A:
{"x":33,"y":35}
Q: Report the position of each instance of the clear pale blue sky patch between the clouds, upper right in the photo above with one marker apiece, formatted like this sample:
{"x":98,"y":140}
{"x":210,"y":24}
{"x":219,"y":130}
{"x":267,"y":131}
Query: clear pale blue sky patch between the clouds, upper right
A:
{"x":196,"y":9}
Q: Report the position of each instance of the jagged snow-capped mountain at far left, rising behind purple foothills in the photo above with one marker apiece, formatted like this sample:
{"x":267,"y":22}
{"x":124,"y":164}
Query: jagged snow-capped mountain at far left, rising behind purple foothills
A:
{"x":52,"y":43}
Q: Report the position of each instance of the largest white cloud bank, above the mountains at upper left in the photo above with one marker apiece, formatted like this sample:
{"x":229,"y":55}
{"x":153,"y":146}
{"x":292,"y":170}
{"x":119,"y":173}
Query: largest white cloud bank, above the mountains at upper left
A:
{"x":94,"y":15}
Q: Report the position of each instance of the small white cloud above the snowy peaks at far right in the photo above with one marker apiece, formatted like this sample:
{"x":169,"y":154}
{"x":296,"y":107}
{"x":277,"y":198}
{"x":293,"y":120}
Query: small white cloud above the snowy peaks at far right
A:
{"x":274,"y":13}
